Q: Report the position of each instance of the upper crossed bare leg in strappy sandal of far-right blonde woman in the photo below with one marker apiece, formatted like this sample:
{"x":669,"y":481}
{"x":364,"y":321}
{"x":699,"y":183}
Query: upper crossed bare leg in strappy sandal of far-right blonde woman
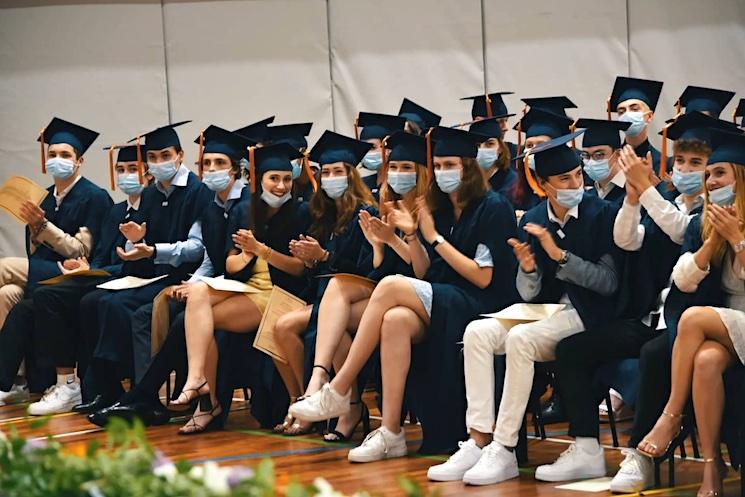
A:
{"x":697,"y":325}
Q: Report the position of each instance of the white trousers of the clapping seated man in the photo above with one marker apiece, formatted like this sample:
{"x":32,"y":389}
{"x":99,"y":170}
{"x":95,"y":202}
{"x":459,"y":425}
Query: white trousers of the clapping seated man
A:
{"x":524,"y":344}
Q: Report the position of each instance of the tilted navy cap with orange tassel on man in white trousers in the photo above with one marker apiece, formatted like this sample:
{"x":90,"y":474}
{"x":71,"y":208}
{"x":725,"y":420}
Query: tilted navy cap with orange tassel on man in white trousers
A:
{"x":552,"y":158}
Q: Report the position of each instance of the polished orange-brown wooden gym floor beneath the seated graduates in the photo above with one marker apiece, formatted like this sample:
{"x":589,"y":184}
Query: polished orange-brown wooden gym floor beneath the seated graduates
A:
{"x":308,"y":457}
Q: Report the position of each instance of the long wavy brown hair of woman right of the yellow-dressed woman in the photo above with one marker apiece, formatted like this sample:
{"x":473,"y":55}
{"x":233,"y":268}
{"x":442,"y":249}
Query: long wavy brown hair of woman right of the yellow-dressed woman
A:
{"x":326,"y":219}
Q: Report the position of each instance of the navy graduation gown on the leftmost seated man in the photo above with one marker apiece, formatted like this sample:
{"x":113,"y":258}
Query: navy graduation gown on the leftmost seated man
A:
{"x":85,"y":205}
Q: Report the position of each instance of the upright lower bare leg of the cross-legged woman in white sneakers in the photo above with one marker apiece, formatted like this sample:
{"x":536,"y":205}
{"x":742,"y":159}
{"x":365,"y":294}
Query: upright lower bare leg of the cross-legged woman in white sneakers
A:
{"x":401,"y":328}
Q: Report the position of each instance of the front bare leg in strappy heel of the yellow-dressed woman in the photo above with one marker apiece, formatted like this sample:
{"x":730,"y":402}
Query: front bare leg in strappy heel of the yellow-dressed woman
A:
{"x":199,"y":325}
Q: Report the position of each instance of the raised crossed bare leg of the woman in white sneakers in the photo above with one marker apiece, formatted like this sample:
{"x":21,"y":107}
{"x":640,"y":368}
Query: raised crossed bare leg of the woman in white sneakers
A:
{"x":392,"y":291}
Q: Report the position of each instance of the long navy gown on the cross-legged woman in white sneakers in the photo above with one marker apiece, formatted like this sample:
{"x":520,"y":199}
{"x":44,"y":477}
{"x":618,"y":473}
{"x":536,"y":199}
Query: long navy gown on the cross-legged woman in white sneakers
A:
{"x":436,"y":387}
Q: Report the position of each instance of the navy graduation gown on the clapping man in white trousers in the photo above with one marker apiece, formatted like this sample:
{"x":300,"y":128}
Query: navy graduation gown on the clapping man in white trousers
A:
{"x":590,"y":236}
